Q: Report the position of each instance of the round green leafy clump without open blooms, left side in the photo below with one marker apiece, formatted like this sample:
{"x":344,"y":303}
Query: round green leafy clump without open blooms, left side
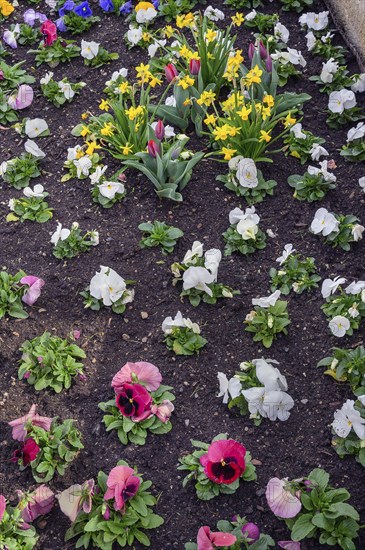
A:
{"x":51,"y":362}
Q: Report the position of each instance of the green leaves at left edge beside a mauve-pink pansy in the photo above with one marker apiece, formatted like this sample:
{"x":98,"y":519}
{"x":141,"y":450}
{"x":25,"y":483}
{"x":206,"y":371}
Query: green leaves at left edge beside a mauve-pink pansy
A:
{"x":11,"y":293}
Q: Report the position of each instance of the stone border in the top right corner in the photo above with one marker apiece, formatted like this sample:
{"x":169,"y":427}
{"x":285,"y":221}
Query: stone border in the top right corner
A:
{"x":350,"y":21}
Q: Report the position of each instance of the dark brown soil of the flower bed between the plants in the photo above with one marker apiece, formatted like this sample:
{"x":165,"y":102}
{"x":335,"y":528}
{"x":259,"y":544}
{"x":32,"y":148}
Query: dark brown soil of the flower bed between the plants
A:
{"x":289,"y":449}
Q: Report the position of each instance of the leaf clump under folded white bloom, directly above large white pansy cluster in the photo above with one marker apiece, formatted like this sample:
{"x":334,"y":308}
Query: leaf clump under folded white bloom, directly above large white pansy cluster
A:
{"x":266,"y":323}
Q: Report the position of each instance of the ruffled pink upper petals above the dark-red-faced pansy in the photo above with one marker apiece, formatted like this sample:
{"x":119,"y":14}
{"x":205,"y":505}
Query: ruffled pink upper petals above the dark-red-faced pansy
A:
{"x":143,"y":372}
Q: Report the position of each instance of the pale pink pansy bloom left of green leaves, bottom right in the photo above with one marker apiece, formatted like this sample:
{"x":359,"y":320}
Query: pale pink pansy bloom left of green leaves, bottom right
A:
{"x":281,"y":499}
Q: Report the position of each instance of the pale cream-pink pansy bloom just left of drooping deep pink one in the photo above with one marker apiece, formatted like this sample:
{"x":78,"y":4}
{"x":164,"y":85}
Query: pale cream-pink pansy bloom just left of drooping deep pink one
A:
{"x":77,"y":498}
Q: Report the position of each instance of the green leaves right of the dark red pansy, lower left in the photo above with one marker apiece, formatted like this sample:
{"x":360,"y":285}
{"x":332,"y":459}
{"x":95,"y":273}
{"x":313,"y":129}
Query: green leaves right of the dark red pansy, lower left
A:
{"x":58,"y":449}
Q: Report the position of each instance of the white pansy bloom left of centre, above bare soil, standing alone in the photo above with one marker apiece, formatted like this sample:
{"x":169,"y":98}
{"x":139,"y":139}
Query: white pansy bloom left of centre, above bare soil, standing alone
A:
{"x":107,"y":285}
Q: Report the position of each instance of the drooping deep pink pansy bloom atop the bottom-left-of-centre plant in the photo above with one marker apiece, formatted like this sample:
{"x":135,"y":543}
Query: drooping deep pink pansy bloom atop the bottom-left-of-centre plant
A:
{"x":122,"y":486}
